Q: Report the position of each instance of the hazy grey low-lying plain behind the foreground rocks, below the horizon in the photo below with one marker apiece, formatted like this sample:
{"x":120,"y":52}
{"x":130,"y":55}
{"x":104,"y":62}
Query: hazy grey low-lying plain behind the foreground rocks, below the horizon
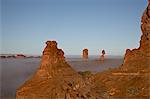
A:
{"x":14,"y":72}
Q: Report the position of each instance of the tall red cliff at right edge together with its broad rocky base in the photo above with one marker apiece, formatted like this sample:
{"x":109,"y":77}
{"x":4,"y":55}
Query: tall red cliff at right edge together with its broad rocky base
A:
{"x":132,"y":79}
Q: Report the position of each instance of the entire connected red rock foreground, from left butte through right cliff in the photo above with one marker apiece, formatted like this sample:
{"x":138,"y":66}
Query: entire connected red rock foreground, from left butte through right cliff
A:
{"x":55,"y":79}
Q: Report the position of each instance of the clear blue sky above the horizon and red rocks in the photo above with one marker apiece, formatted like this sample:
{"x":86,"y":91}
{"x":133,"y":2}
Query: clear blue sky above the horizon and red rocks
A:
{"x":75,"y":24}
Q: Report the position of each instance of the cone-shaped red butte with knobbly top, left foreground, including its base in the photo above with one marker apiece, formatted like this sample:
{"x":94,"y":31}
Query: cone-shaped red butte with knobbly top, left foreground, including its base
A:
{"x":55,"y":79}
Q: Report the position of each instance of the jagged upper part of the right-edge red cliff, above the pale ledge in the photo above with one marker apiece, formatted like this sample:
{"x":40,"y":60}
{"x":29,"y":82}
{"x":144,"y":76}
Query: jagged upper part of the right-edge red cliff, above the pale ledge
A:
{"x":139,"y":59}
